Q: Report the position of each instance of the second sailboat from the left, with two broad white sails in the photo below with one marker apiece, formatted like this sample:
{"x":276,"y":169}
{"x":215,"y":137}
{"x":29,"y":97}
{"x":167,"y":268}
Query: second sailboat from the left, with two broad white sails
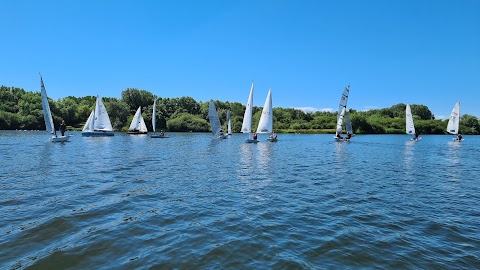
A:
{"x":98,"y":123}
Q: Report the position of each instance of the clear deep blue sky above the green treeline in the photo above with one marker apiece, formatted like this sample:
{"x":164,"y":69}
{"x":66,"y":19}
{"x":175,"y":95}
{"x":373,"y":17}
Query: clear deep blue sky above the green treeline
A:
{"x":419,"y":52}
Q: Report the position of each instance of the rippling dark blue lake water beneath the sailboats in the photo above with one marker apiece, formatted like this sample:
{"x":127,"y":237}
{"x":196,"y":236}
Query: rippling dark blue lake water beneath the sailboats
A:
{"x":190,"y":202}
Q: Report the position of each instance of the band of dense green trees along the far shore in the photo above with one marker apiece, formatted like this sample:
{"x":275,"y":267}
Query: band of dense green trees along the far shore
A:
{"x":20,"y":109}
